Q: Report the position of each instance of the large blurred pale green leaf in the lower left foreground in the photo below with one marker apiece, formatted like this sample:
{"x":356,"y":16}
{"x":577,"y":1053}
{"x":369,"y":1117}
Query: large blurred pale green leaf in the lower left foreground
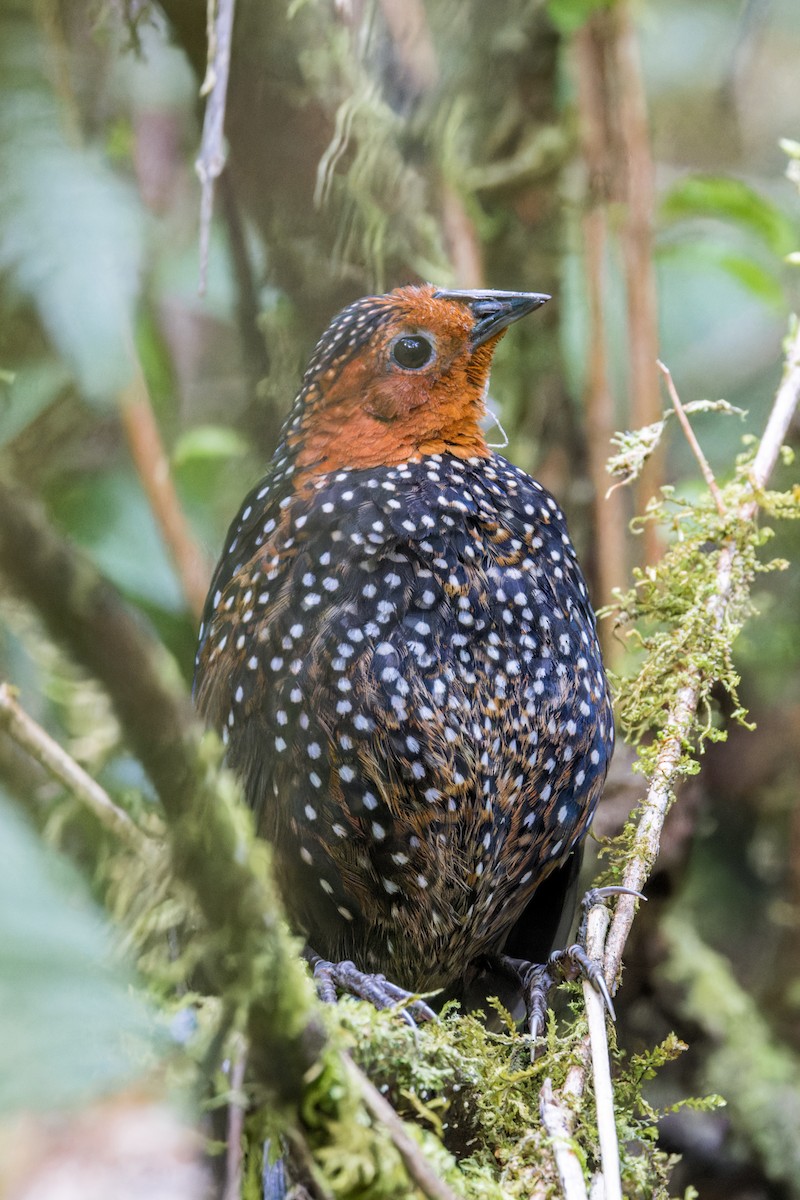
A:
{"x":70,"y":1025}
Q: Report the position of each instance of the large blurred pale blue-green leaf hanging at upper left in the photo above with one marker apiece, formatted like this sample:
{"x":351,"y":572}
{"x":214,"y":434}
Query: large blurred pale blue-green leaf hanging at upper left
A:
{"x":71,"y":231}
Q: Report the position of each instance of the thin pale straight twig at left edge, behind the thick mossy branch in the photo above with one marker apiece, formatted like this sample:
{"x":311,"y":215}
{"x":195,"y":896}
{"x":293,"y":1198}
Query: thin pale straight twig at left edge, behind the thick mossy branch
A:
{"x":41,"y":747}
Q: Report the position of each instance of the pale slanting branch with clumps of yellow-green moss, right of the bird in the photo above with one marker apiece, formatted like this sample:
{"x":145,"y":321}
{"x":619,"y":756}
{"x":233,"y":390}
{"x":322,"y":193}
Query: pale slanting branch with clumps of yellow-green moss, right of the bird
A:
{"x":689,"y":652}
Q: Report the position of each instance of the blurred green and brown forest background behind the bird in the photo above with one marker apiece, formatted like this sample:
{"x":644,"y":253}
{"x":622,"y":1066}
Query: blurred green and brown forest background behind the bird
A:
{"x":625,"y":161}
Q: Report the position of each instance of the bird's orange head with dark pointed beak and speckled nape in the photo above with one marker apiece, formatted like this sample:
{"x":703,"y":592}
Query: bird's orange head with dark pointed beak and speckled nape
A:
{"x":401,"y":376}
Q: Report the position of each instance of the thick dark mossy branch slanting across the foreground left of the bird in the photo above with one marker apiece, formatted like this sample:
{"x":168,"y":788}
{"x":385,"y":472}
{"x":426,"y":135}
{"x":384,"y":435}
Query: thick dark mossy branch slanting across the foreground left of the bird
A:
{"x":249,"y":959}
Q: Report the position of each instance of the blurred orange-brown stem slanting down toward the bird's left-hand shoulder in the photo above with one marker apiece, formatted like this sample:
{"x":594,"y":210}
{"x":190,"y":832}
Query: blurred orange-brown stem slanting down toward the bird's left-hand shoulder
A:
{"x":153,"y":469}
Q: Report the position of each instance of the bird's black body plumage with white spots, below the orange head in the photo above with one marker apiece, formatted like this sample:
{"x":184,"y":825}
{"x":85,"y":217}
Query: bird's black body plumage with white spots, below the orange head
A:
{"x":402,"y":662}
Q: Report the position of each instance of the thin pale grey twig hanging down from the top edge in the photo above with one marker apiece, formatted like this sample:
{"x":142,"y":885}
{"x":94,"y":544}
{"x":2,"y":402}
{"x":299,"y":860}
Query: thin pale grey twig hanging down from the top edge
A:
{"x":212,"y":160}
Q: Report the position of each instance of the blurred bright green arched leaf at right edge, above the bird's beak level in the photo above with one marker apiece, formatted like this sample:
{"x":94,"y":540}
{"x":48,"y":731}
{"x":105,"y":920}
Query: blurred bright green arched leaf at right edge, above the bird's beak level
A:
{"x":729,"y":200}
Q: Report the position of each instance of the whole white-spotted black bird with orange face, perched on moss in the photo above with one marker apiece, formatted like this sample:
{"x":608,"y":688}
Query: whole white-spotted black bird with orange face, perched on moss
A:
{"x":401,"y":657}
